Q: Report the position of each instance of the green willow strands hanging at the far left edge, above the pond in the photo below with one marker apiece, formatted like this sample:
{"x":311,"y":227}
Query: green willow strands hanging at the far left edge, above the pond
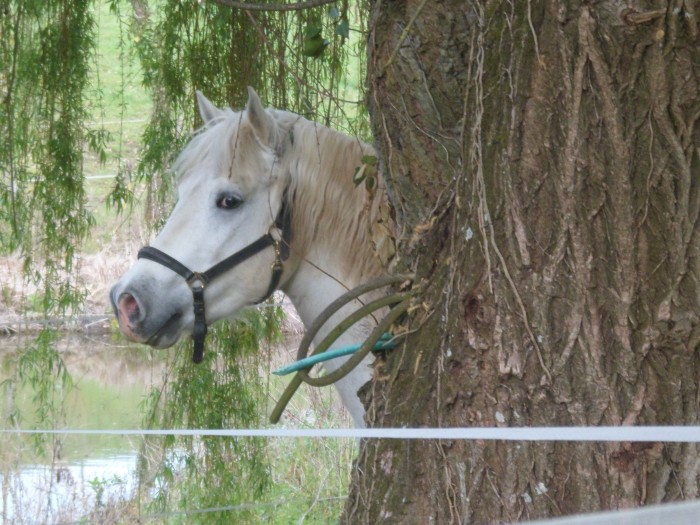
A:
{"x":45,"y":57}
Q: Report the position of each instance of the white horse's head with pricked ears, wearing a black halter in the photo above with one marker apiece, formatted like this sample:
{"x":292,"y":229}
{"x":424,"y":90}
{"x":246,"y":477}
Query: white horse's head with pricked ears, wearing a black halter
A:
{"x":224,"y":236}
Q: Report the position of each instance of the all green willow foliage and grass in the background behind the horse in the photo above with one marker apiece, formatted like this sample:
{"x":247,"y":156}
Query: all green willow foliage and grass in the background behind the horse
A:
{"x":92,"y":89}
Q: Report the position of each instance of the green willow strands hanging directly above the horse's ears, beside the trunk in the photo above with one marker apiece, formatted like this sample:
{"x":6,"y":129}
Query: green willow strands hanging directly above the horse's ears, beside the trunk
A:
{"x":308,"y":61}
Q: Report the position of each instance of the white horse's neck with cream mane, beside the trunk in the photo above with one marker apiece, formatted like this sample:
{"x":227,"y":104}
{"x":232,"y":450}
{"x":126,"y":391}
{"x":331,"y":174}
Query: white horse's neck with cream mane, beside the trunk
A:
{"x":331,"y":243}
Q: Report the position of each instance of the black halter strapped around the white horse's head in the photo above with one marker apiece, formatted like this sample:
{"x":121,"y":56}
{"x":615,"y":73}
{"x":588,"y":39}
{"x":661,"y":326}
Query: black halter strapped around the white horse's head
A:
{"x":198,"y":280}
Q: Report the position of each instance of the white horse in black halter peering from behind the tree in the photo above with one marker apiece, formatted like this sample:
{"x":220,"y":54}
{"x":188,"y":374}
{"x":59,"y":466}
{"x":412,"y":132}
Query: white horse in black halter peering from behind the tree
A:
{"x":276,"y":182}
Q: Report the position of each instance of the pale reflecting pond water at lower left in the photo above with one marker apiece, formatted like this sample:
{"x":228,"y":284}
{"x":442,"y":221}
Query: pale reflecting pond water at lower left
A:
{"x":84,"y":474}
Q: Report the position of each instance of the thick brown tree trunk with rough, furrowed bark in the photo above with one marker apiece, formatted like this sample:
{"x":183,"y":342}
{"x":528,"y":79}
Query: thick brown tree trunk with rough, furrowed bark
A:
{"x":544,"y":158}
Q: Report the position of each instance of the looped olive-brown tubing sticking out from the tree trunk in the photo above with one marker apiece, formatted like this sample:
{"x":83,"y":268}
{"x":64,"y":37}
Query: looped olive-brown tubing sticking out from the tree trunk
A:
{"x":401,"y":299}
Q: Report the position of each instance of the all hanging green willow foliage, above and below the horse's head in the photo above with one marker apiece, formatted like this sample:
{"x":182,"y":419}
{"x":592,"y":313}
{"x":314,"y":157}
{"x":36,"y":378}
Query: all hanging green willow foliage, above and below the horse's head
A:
{"x":310,"y":61}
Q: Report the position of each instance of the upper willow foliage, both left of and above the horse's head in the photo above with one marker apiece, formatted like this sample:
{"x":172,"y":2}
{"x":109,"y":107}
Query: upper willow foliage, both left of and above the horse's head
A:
{"x":305,"y":60}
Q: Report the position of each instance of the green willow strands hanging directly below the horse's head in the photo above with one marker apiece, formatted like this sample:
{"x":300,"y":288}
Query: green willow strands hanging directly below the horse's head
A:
{"x":224,"y":391}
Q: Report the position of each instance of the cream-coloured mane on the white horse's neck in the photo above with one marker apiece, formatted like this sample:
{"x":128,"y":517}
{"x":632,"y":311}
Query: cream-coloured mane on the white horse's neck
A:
{"x":328,"y":209}
